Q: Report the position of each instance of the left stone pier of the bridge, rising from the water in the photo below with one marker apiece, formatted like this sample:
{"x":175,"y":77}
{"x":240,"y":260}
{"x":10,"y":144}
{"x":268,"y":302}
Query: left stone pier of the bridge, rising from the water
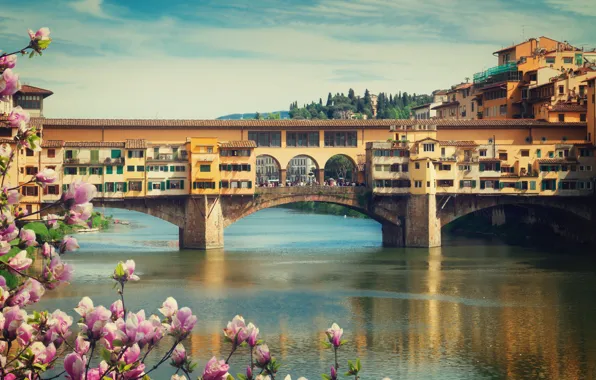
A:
{"x":203,"y":223}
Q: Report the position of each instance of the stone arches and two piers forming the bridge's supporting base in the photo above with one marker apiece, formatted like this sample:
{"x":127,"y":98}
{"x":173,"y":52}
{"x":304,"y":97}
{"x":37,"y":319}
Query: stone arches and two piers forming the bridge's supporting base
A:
{"x":407,"y":220}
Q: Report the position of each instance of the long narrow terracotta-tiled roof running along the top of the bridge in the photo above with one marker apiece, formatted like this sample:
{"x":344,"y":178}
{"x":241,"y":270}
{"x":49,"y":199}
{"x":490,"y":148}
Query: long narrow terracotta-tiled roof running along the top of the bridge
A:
{"x":285,"y":124}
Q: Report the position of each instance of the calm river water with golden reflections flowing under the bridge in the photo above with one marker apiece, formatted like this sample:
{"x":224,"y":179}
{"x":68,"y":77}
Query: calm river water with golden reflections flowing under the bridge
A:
{"x":473,"y":309}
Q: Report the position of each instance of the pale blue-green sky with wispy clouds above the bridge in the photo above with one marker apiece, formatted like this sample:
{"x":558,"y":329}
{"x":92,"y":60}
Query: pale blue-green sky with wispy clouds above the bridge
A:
{"x":174,"y":59}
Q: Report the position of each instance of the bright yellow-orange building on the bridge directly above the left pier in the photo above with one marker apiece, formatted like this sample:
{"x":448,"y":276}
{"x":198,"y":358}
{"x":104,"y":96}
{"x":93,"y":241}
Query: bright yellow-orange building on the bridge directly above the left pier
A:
{"x":204,"y":165}
